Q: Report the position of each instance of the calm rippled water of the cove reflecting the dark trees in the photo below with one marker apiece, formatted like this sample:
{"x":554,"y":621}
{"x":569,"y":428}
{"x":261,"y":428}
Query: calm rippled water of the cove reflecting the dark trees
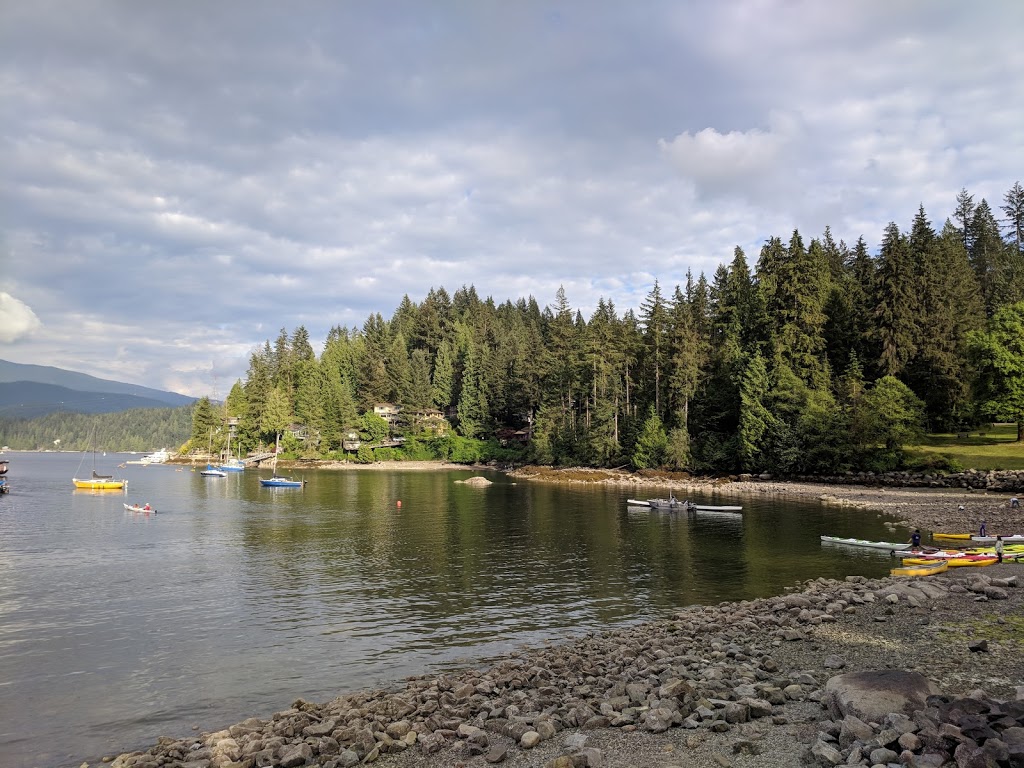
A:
{"x":235,"y":601}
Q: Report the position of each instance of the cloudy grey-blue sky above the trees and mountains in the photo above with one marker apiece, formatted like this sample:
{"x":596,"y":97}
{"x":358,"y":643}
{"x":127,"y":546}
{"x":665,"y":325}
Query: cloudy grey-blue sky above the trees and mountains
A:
{"x":179,"y":182}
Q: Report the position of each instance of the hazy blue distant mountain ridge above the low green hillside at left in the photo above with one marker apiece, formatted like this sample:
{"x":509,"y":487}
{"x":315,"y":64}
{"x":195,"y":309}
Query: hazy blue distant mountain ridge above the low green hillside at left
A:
{"x":28,"y":392}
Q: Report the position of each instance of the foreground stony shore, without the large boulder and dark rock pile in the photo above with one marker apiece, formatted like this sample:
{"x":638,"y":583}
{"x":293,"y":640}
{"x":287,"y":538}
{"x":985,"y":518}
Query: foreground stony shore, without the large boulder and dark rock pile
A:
{"x":737,"y":686}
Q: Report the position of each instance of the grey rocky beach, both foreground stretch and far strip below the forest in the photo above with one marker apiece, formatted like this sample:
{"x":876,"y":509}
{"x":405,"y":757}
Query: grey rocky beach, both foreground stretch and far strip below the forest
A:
{"x":897,"y":671}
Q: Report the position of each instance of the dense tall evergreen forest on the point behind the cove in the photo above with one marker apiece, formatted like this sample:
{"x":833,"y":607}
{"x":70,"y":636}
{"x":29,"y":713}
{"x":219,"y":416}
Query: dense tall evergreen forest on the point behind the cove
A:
{"x":820,"y":357}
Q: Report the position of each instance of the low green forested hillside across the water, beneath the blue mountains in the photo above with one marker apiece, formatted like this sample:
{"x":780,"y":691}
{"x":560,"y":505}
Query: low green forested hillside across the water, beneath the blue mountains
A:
{"x":139,"y":430}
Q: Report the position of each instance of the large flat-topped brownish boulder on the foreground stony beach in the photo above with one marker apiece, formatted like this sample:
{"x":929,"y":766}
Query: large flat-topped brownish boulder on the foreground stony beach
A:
{"x":871,"y":696}
